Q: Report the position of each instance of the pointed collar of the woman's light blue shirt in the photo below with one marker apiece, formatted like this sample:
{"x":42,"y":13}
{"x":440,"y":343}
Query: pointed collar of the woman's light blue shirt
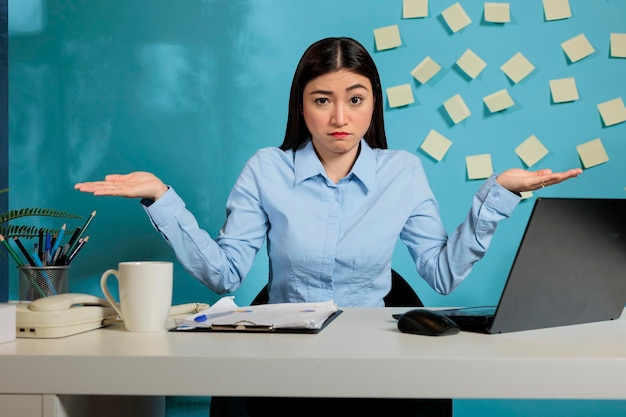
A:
{"x":308,"y":165}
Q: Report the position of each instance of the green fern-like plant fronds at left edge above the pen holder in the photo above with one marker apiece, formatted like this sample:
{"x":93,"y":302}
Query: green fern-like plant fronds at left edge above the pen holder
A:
{"x":29,"y":231}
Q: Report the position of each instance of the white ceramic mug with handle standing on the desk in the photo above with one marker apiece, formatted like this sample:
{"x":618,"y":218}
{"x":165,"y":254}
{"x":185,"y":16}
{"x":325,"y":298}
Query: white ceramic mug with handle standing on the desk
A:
{"x":145,"y":292}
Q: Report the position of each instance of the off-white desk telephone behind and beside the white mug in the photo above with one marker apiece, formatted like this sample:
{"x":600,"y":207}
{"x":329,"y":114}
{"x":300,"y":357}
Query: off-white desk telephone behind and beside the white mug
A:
{"x":67,"y":314}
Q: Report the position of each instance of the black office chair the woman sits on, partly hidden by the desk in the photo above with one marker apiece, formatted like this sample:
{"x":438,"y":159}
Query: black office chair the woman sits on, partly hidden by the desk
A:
{"x":400,"y":295}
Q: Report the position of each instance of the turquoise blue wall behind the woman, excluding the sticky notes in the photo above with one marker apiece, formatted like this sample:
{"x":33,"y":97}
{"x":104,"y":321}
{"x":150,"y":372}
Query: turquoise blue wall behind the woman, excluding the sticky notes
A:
{"x":190,"y":89}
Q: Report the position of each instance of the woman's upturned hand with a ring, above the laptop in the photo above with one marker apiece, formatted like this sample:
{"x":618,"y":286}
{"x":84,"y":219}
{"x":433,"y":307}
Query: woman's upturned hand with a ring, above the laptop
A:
{"x":519,"y":180}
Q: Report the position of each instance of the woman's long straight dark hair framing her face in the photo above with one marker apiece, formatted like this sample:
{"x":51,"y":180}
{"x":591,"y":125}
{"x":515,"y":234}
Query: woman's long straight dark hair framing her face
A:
{"x":324,"y":56}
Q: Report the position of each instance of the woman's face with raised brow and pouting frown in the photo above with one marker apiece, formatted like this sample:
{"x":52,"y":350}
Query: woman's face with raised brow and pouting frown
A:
{"x":337,"y":109}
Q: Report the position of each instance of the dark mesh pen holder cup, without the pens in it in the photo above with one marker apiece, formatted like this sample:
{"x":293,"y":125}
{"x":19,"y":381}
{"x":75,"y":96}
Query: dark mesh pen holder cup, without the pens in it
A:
{"x":37,"y":282}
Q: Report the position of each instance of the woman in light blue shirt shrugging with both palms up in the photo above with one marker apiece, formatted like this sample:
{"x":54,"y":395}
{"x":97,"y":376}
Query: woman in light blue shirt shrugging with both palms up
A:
{"x":332,"y":201}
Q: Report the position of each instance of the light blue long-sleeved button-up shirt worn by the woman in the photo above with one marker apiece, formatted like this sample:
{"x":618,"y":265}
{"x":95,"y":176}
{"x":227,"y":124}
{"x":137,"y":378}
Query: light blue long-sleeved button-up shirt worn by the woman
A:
{"x":330,"y":241}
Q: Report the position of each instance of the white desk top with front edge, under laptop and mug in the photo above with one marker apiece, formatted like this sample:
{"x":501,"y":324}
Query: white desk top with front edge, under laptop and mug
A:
{"x":360,"y":354}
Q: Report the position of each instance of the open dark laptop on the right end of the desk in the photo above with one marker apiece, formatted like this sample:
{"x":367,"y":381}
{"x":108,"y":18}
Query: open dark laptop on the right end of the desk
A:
{"x":570,"y":268}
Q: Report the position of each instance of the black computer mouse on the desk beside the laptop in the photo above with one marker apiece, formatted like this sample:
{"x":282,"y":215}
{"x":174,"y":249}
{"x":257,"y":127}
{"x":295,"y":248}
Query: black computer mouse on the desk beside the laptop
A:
{"x":426,"y":322}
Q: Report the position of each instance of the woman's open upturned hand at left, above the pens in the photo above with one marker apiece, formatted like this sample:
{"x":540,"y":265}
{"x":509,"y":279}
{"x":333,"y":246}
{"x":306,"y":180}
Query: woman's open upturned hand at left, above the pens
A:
{"x":134,"y":185}
